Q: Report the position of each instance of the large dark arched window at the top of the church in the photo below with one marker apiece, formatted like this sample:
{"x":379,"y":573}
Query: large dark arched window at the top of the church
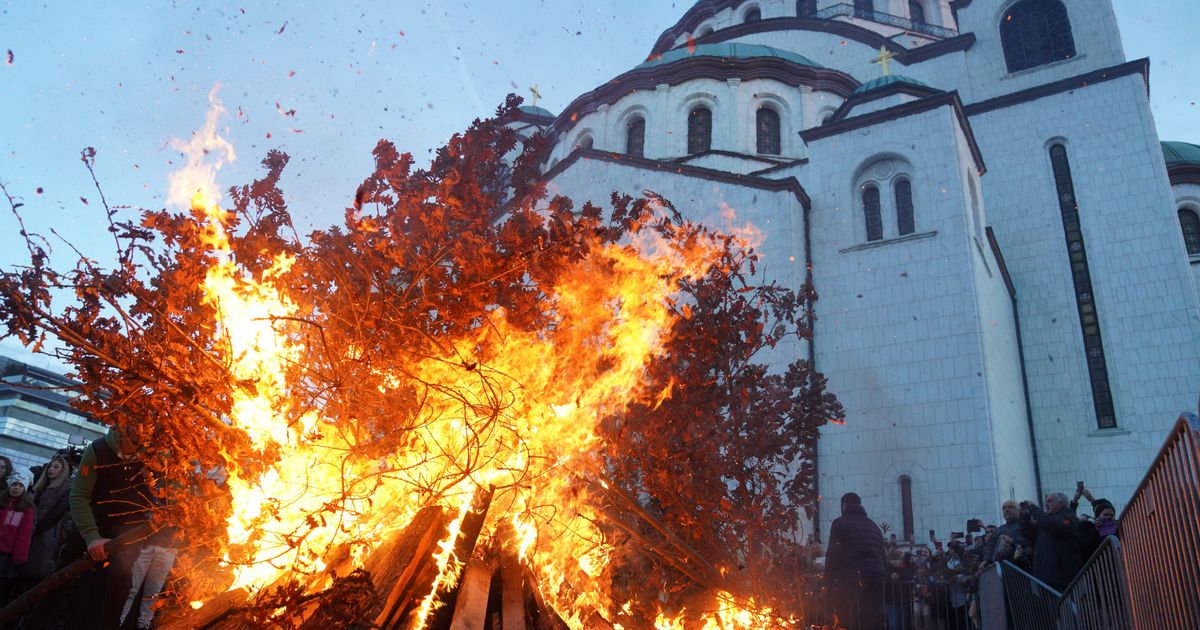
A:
{"x":1035,"y":33}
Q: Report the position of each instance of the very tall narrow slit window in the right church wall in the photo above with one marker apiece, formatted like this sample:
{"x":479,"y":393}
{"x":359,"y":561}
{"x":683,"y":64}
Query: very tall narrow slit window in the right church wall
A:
{"x":1085,"y":301}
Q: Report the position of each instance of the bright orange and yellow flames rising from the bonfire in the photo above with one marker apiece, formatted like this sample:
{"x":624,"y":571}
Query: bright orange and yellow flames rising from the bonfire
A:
{"x":523,"y":418}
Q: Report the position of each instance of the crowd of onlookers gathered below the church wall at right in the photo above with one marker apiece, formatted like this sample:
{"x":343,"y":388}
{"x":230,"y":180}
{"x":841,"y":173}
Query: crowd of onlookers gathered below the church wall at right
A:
{"x":873,"y":584}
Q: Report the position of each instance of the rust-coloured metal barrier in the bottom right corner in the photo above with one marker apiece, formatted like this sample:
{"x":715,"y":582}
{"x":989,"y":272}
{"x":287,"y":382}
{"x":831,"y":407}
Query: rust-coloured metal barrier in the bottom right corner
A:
{"x":1161,"y":532}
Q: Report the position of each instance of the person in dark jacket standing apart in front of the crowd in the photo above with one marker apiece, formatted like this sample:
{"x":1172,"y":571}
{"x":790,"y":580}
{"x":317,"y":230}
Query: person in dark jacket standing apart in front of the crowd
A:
{"x":856,"y":565}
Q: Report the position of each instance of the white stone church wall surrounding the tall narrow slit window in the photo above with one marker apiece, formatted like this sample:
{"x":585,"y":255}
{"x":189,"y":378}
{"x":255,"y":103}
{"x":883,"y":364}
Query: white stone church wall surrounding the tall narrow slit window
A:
{"x":1138,"y":268}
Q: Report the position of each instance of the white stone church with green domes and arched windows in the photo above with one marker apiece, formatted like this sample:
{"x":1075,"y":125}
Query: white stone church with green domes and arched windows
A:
{"x":1007,"y":266}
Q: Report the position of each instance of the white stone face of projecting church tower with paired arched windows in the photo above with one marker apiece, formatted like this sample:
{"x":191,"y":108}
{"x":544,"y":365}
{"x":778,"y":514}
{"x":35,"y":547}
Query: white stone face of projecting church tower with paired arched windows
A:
{"x":898,"y":329}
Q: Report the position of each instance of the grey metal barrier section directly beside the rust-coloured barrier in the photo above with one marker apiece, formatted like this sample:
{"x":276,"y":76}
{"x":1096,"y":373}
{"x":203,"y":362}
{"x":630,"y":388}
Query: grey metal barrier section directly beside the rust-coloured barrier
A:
{"x":1099,"y":598}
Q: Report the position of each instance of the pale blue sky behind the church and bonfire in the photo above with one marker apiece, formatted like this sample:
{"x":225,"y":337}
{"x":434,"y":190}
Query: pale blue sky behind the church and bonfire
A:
{"x":326,"y":82}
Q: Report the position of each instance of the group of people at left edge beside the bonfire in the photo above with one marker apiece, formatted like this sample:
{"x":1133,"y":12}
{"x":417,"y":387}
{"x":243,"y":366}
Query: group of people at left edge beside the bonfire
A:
{"x":76,"y":509}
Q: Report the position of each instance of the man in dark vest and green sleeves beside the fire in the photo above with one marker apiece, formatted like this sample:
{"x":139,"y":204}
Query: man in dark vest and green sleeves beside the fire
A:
{"x":110,"y":497}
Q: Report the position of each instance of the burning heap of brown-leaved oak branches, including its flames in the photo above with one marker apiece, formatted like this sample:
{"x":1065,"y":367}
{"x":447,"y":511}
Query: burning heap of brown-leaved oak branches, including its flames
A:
{"x":301,"y":400}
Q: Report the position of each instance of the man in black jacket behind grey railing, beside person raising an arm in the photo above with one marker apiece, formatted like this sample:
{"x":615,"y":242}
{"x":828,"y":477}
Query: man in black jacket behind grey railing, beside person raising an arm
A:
{"x":1055,"y":537}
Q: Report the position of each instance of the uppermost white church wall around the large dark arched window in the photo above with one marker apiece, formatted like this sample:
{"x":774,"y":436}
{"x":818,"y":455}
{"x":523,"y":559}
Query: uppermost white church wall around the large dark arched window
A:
{"x":1094,"y":29}
